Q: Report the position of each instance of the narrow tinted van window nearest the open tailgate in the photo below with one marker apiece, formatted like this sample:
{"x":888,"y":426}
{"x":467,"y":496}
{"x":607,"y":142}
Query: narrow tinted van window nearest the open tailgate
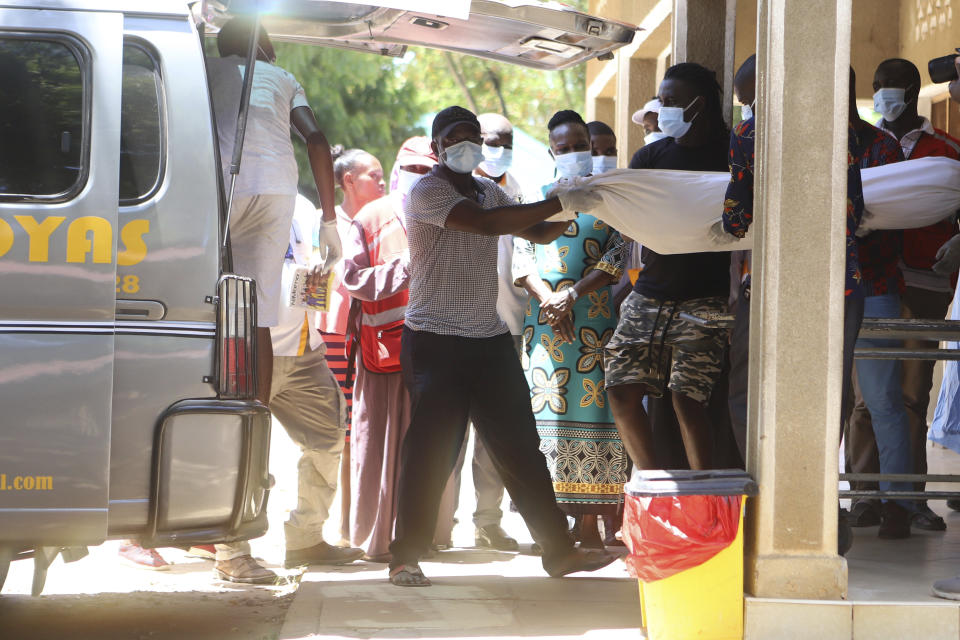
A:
{"x":141,"y":133}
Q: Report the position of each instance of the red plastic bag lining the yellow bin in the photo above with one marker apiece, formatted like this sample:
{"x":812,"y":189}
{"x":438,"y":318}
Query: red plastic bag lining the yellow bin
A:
{"x":667,"y":535}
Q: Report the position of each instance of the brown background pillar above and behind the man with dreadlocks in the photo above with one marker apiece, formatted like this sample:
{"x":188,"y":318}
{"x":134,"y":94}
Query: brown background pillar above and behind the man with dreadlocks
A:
{"x":703,"y":32}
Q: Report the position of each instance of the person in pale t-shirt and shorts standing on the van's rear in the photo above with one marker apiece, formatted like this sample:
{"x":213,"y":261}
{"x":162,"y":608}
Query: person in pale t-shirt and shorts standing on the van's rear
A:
{"x":264,"y":200}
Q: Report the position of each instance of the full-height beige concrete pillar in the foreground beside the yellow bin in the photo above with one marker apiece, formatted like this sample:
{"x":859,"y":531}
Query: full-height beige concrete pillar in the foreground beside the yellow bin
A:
{"x":797,"y":299}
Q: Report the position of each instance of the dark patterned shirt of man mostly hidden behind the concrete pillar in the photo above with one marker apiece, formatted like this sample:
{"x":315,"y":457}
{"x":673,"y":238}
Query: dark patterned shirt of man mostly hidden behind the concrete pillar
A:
{"x":738,"y":203}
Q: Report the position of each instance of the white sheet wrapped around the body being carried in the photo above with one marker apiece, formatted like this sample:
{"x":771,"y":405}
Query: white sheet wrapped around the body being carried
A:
{"x":672,"y":211}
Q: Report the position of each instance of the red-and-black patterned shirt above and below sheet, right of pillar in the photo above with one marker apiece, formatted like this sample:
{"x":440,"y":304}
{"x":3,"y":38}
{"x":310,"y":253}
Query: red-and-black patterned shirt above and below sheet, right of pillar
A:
{"x":880,"y":251}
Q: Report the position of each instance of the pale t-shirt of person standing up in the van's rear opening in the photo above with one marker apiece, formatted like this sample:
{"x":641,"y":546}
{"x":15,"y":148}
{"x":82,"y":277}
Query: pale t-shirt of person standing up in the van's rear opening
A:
{"x":268,"y":165}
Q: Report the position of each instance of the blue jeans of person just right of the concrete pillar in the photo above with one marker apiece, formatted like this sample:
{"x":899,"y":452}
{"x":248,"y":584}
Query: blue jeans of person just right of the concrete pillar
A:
{"x":880,"y":386}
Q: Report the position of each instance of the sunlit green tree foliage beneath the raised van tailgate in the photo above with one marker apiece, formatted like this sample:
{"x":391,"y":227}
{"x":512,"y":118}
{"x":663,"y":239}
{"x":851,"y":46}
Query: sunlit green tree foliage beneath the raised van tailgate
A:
{"x":374,"y":103}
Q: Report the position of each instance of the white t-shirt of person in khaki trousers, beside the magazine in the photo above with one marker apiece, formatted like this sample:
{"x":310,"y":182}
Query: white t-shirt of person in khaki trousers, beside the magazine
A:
{"x":295,"y":329}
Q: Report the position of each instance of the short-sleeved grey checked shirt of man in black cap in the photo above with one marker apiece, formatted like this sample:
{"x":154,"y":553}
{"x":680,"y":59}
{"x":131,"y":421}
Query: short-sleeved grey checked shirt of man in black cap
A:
{"x":453,"y":274}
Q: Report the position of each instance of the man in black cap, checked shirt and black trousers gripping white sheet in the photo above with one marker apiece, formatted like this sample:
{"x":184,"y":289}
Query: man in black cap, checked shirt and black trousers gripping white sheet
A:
{"x":459,"y":360}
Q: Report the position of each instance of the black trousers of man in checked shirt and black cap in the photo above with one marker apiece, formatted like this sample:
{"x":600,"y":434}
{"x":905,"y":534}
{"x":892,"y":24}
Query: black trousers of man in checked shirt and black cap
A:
{"x":452,"y":381}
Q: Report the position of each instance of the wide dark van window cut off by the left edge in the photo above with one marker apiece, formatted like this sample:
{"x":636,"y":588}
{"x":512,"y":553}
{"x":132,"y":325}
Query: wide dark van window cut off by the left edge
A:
{"x":41,"y":118}
